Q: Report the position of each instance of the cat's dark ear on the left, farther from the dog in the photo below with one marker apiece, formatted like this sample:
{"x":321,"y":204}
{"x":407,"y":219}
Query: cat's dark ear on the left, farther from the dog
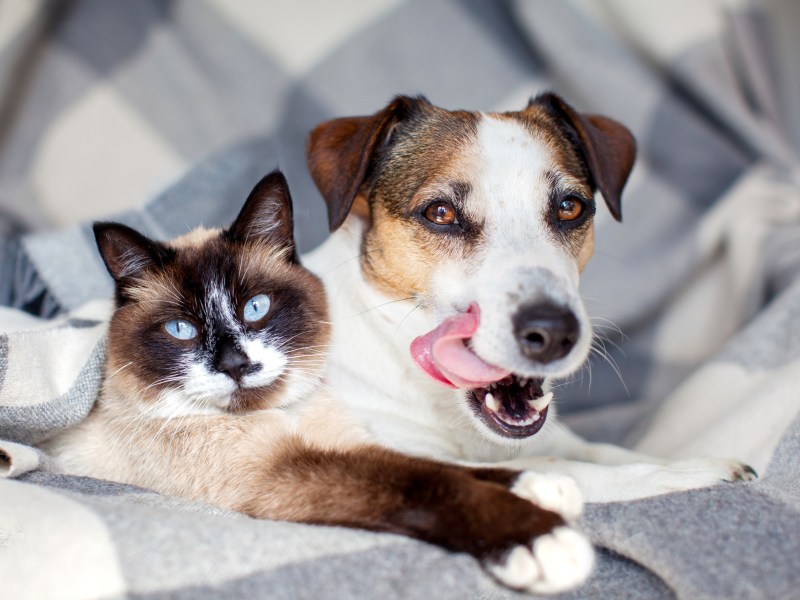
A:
{"x":126,"y":252}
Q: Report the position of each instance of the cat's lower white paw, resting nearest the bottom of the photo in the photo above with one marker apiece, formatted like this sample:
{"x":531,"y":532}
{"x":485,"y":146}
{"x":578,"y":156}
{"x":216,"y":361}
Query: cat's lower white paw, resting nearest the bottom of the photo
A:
{"x":556,"y":562}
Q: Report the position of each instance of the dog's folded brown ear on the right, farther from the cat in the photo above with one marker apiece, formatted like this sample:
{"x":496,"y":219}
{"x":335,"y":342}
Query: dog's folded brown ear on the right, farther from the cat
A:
{"x":608,"y":146}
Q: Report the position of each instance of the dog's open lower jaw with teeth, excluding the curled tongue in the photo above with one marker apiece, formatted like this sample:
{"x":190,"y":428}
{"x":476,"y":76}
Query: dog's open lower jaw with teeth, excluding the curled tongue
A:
{"x":513,"y":406}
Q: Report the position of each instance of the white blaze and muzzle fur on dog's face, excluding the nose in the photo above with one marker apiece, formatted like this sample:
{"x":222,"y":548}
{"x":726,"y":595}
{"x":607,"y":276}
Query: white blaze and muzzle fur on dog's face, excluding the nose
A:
{"x":521,"y":261}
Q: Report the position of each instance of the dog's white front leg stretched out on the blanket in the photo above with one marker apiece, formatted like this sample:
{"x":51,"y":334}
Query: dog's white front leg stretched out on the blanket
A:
{"x":608,"y":473}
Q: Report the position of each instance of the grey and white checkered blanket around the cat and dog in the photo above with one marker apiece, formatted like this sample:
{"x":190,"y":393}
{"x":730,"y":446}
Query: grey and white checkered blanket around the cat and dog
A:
{"x":165,"y":113}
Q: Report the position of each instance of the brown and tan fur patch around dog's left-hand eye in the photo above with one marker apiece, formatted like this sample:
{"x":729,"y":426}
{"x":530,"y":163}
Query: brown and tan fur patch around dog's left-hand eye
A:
{"x":424,"y":163}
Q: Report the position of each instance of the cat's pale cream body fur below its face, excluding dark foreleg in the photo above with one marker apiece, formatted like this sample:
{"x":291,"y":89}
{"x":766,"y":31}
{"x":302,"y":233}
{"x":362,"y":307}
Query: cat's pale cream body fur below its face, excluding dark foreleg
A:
{"x":210,"y":458}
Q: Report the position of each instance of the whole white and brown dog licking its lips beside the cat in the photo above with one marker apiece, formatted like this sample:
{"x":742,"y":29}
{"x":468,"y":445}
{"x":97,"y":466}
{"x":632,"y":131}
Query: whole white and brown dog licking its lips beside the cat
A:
{"x":453,"y":281}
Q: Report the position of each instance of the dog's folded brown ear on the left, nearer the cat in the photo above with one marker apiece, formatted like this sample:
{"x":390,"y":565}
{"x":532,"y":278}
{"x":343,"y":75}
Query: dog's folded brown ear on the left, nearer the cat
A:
{"x":340,"y":152}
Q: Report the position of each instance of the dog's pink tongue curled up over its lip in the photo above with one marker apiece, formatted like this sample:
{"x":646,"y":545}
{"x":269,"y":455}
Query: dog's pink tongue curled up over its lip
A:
{"x":444,"y":356}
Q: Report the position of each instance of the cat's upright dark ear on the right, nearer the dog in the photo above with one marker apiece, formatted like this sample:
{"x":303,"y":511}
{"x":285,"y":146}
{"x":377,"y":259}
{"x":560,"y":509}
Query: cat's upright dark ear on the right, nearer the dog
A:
{"x":267,"y":215}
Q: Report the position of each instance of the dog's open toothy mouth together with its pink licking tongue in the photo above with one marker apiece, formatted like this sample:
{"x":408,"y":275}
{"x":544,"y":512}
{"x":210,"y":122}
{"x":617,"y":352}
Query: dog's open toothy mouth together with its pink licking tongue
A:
{"x":509,"y":405}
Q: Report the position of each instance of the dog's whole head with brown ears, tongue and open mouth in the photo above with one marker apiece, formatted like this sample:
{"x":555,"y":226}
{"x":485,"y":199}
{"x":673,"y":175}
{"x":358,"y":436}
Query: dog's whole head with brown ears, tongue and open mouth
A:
{"x":486,"y":221}
